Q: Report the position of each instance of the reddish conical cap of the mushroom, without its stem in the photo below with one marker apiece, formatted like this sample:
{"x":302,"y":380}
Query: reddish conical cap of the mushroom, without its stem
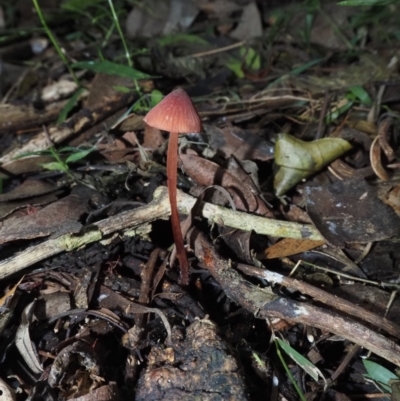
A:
{"x":175,"y":113}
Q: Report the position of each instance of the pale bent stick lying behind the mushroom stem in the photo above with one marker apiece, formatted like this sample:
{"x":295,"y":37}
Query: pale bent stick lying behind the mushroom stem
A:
{"x":159,"y":208}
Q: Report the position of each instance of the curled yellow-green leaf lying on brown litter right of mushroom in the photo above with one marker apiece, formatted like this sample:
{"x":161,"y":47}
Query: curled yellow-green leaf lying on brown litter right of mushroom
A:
{"x":296,"y":159}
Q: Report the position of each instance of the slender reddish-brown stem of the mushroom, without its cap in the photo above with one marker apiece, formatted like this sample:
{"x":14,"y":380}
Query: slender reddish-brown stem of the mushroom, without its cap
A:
{"x":172,"y":167}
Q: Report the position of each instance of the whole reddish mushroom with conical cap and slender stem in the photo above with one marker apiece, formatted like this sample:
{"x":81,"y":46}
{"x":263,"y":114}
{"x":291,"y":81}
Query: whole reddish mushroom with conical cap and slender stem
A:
{"x":176,"y":114}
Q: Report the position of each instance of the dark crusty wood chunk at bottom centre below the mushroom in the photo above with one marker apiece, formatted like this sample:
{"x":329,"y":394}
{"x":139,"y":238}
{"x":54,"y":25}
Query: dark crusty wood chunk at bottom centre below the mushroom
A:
{"x":198,"y":365}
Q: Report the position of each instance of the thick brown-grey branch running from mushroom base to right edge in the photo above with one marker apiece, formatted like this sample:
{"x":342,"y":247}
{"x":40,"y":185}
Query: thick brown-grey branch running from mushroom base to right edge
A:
{"x":265,"y":304}
